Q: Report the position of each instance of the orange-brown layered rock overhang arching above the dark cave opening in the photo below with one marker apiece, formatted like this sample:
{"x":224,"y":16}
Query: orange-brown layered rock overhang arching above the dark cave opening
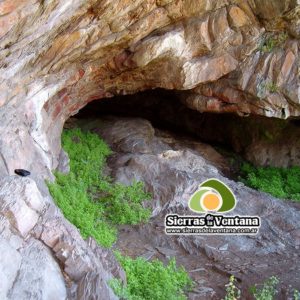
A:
{"x":56,"y":56}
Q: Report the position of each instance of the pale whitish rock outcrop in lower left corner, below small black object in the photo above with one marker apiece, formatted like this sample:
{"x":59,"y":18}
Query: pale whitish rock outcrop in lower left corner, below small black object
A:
{"x":42,"y":255}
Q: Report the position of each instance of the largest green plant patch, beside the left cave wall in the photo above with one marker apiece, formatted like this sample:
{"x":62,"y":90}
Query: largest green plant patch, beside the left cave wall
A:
{"x":90,"y":200}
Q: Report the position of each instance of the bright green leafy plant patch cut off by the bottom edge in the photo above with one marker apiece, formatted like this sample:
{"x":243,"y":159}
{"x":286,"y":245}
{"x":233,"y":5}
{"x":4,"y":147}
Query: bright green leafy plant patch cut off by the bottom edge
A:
{"x":151,"y":280}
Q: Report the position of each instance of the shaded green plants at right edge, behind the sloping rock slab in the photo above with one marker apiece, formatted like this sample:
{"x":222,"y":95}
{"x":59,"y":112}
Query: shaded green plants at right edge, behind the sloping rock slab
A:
{"x":279,"y":182}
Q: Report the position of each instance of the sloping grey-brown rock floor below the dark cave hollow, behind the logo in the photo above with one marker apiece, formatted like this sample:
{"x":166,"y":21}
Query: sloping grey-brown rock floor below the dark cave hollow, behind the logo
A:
{"x":172,"y":168}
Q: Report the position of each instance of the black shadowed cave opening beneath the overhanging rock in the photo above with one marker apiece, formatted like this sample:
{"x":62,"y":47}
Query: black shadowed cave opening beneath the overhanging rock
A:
{"x":261,"y":140}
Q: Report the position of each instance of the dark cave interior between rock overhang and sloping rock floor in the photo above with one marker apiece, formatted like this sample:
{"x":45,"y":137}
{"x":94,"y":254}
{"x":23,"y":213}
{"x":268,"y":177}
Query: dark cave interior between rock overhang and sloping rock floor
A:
{"x":165,"y":110}
